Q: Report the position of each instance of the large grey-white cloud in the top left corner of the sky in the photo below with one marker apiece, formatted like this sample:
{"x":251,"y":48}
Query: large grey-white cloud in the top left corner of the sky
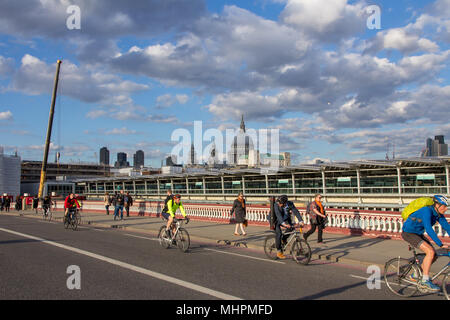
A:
{"x":101,"y":21}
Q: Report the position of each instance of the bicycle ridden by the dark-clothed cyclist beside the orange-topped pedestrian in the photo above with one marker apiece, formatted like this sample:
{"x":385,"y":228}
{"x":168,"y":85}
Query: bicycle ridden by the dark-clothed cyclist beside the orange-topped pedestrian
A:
{"x":300,"y":249}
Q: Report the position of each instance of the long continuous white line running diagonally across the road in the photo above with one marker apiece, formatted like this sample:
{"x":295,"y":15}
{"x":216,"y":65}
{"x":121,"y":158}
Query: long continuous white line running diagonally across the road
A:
{"x":147,"y":272}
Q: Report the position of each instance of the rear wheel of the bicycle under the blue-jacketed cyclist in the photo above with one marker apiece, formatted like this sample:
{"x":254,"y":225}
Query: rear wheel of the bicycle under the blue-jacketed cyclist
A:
{"x":397,"y":275}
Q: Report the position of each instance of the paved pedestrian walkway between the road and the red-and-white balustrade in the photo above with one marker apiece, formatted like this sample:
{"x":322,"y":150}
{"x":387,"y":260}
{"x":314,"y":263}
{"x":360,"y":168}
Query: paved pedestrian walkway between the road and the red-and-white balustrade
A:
{"x":340,"y":248}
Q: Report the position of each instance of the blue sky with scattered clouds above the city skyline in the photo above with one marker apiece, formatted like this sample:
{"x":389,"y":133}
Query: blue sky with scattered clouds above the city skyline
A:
{"x":136,"y":71}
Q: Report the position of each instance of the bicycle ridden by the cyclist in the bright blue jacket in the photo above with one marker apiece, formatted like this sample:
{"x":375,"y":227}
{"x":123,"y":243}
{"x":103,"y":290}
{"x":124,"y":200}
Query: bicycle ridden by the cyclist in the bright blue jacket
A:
{"x":398,"y":275}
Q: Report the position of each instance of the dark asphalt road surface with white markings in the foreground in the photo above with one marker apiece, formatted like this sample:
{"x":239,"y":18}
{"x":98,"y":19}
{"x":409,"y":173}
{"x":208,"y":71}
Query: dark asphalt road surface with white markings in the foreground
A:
{"x":120,"y":265}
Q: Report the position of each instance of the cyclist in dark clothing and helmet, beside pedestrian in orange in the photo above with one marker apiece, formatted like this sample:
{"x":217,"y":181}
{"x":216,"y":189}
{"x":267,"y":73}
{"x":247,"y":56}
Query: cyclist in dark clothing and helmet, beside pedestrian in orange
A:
{"x":283,"y":211}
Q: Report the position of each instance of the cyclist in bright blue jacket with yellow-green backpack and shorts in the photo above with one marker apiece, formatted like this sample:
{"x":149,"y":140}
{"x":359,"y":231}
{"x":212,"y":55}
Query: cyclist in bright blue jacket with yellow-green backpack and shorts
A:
{"x":413,"y":232}
